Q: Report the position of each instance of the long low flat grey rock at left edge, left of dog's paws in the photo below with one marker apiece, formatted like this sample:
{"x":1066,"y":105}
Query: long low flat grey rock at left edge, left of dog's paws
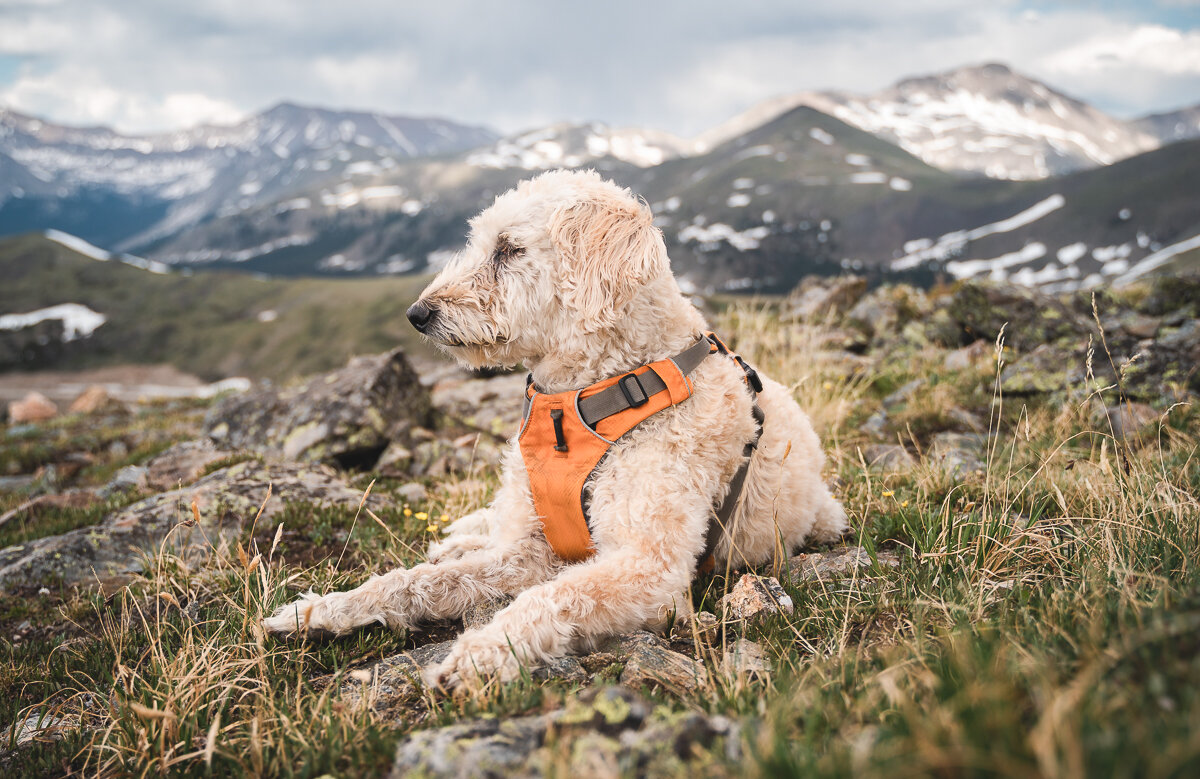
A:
{"x":225,"y":501}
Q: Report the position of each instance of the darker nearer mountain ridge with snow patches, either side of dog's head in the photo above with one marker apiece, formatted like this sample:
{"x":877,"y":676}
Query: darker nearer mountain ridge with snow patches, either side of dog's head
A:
{"x":802,"y":194}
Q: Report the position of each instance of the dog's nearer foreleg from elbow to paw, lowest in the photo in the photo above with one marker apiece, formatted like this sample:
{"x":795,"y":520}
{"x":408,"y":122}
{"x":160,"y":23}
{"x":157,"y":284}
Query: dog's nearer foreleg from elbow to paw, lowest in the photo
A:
{"x":615,"y":592}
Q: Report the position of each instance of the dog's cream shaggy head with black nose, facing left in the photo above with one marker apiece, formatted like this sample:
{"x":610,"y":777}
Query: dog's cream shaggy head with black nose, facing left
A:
{"x":556,"y":260}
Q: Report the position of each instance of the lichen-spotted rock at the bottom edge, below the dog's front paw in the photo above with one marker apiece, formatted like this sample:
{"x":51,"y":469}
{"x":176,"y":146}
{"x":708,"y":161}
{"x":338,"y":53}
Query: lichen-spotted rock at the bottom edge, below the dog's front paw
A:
{"x":605,"y":733}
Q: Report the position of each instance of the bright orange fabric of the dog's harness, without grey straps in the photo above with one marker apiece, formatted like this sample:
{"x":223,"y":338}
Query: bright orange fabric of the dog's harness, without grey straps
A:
{"x":557,"y":478}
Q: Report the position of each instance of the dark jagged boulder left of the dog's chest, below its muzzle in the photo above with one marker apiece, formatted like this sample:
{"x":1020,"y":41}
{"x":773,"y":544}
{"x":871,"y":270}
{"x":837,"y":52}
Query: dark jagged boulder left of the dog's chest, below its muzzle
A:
{"x":346,"y":418}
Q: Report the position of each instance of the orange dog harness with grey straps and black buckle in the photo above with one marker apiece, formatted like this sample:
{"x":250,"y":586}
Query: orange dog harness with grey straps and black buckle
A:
{"x":565,"y":436}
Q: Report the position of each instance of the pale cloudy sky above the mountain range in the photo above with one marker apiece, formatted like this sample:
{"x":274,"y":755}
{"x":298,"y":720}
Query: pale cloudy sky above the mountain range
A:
{"x":680,"y":65}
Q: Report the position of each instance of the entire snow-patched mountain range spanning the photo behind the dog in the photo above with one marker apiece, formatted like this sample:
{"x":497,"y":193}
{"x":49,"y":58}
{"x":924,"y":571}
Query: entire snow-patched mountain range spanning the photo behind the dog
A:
{"x":886,"y":184}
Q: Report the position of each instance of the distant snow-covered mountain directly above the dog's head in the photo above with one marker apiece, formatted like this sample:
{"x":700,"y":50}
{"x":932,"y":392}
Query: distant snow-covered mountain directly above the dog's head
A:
{"x":566,"y":146}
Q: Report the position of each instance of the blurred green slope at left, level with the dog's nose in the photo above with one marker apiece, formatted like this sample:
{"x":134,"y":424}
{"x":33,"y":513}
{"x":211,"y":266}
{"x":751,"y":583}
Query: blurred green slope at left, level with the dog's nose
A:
{"x":209,"y":325}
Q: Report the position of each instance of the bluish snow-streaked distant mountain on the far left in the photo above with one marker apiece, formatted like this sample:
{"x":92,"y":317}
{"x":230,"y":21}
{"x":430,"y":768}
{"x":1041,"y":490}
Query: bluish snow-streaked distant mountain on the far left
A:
{"x":130,"y":191}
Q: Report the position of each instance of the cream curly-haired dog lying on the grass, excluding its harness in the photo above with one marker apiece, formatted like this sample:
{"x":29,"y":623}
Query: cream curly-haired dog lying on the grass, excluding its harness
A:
{"x":568,"y":275}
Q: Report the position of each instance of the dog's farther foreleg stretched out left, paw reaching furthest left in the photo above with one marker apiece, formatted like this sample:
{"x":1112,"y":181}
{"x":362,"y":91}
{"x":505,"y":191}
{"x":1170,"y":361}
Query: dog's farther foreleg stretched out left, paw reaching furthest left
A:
{"x":430,"y":591}
